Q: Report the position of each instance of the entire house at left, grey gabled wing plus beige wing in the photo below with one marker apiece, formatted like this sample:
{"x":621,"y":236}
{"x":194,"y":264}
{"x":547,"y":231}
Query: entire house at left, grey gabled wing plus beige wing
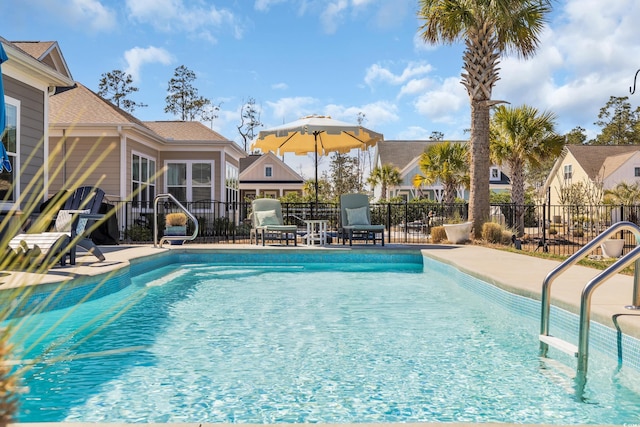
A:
{"x":69,"y":136}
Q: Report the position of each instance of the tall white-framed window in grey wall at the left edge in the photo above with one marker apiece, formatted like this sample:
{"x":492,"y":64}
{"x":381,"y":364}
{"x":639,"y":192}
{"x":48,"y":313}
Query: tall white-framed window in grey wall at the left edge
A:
{"x":11,"y":141}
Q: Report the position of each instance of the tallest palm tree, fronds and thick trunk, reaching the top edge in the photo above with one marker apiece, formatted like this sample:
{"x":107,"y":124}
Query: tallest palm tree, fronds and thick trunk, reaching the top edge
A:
{"x":489,"y":29}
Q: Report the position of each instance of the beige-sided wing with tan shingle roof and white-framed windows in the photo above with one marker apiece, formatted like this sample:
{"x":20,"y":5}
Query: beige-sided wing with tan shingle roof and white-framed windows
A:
{"x":134,"y":160}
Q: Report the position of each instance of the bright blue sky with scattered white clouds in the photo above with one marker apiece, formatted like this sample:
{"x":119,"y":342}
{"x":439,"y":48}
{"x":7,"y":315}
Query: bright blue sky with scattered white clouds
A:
{"x":332,"y":57}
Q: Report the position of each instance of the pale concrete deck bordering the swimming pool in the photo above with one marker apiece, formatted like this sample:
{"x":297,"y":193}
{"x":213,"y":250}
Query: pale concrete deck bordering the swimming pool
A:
{"x":517,"y":273}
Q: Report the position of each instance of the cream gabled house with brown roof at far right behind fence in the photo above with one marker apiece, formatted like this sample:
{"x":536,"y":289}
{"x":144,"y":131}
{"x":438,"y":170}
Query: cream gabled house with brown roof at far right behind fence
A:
{"x":594,"y":166}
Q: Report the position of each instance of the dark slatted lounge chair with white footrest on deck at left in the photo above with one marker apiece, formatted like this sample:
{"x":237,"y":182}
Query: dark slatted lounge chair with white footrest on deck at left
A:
{"x":79,"y":210}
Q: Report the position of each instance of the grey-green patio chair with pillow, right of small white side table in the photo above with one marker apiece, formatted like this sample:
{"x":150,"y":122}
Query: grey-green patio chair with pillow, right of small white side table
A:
{"x":355,"y":219}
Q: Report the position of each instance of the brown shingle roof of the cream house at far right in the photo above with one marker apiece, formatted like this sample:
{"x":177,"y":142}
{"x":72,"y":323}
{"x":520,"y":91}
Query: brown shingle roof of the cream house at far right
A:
{"x":592,"y":157}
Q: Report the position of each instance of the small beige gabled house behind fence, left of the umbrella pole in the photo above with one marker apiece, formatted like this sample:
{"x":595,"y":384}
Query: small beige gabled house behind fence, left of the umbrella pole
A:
{"x":265,"y":175}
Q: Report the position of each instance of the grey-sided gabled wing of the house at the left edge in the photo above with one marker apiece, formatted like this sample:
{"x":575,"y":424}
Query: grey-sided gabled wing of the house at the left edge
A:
{"x":30,"y":76}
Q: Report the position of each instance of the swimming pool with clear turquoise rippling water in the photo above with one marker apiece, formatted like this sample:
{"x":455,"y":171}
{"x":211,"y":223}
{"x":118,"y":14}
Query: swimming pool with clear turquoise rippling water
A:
{"x":319,"y":338}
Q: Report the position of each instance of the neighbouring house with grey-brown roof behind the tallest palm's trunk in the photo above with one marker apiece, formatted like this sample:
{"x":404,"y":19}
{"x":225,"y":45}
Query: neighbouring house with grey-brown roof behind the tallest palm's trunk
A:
{"x":405,"y":155}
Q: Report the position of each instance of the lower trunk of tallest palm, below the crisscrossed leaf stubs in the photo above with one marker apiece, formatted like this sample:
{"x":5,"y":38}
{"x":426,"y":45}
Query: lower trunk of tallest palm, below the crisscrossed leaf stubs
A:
{"x":480,"y":165}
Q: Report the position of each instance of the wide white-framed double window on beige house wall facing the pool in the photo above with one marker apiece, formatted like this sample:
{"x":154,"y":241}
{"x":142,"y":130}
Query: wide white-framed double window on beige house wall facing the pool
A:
{"x":190,"y":181}
